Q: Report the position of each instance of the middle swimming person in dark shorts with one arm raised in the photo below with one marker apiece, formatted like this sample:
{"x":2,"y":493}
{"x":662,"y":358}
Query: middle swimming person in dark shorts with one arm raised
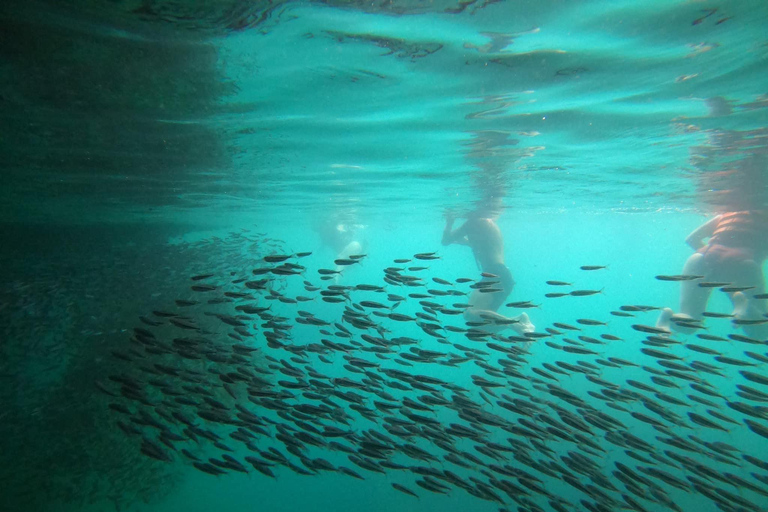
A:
{"x":483,"y":236}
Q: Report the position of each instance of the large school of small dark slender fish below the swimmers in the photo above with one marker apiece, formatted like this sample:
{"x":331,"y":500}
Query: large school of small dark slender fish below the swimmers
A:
{"x":240,"y":375}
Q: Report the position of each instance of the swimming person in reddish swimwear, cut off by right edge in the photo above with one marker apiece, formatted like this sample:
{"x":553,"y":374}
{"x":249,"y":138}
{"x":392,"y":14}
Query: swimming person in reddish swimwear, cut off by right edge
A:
{"x":734,"y":254}
